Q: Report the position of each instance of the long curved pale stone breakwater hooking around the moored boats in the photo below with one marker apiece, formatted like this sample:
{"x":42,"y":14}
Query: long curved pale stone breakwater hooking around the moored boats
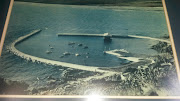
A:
{"x":13,"y":49}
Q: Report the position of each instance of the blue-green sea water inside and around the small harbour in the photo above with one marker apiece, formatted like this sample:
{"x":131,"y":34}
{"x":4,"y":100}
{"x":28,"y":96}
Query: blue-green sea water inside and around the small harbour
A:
{"x":56,"y":18}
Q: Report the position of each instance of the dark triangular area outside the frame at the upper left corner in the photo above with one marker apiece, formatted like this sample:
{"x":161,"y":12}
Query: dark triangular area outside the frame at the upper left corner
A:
{"x":4,"y":5}
